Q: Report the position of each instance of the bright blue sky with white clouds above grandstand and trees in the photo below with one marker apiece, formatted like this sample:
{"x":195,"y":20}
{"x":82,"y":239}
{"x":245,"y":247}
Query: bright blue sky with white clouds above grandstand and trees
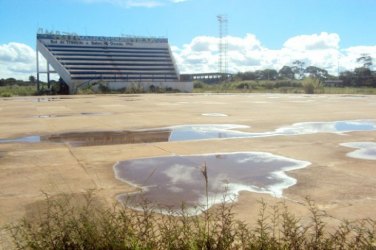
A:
{"x":329,"y":34}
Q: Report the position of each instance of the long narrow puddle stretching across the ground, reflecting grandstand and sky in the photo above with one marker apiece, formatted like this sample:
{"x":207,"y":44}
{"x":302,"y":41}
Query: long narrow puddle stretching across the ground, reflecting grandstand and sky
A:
{"x":194,"y":132}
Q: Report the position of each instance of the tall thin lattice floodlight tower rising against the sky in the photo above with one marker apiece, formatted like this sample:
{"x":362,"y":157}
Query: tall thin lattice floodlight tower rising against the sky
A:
{"x":222,"y":60}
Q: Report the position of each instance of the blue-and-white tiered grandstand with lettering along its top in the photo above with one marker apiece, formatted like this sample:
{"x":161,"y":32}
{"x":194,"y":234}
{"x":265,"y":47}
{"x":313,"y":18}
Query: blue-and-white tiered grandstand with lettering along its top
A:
{"x":114,"y":62}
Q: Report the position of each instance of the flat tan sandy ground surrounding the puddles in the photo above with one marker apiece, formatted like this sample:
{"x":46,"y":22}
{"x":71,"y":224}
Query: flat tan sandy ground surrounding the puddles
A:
{"x":343,"y":186}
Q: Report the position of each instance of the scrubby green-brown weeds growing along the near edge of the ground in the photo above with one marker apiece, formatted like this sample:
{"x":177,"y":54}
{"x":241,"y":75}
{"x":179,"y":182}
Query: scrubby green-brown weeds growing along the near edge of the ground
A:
{"x":67,"y":222}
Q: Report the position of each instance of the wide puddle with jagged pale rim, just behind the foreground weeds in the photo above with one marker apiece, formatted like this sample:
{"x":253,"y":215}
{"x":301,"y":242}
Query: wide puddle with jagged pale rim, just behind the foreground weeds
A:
{"x":167,"y":182}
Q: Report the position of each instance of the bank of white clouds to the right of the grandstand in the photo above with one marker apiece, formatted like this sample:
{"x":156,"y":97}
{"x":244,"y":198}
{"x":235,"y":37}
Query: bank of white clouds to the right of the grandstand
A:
{"x":249,"y":54}
